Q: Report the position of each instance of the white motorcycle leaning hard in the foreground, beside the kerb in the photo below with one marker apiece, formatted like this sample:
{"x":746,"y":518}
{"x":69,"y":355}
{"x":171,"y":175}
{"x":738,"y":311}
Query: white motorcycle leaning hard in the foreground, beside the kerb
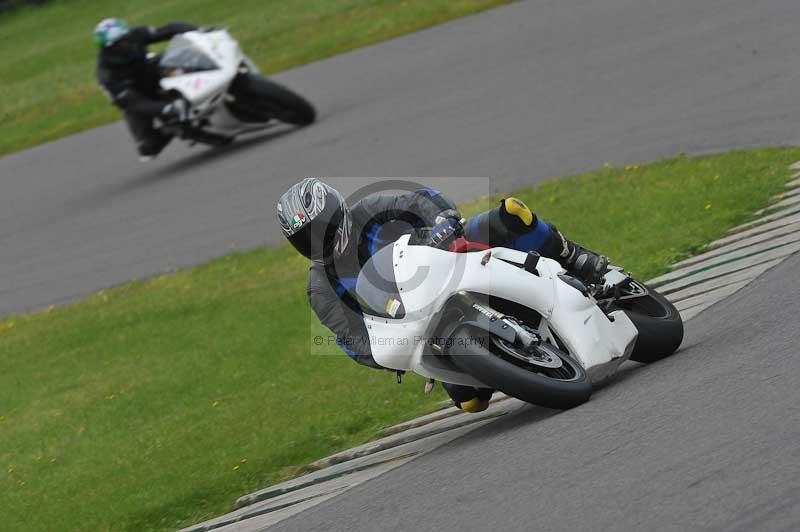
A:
{"x":508,"y":320}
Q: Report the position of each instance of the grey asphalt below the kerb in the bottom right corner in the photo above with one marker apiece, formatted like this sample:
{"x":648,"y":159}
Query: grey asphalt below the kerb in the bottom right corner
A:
{"x":708,"y":439}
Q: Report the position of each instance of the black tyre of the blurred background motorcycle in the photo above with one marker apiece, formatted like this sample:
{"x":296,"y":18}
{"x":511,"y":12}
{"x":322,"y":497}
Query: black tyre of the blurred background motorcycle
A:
{"x":258,"y":99}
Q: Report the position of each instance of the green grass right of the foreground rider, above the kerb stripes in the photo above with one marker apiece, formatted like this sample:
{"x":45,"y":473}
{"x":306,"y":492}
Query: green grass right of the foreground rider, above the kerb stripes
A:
{"x":646,"y":217}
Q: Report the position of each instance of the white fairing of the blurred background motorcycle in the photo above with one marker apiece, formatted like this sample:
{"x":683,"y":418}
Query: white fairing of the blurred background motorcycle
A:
{"x":206,"y":91}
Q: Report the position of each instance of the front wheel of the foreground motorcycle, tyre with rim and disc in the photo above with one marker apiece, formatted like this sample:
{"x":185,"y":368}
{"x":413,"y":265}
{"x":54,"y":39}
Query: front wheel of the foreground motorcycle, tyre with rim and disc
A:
{"x":490,"y":361}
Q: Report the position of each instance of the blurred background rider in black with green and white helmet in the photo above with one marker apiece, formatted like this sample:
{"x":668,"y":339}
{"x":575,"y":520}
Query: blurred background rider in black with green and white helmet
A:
{"x":131,"y":80}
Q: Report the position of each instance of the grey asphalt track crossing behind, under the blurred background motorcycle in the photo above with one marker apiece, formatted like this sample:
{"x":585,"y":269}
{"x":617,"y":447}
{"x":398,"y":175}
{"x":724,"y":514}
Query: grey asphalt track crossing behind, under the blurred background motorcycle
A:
{"x":524,"y":93}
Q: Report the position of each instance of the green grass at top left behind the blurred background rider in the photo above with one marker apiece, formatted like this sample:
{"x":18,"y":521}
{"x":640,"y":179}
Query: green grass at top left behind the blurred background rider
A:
{"x":48,"y":88}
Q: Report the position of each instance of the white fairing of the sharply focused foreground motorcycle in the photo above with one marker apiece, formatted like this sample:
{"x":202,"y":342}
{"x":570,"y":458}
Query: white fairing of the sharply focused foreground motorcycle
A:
{"x":427,"y":277}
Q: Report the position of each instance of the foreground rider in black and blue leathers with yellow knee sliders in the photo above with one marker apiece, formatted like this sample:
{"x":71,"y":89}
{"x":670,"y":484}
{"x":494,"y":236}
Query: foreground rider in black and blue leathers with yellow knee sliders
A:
{"x":340,"y":239}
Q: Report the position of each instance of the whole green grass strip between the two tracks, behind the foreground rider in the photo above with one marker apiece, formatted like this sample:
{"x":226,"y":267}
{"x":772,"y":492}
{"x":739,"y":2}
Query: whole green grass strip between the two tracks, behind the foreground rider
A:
{"x":156,"y":404}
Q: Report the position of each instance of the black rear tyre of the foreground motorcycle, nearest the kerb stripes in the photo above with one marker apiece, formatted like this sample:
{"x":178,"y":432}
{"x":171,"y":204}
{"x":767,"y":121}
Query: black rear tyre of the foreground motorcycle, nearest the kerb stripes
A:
{"x":659,"y":323}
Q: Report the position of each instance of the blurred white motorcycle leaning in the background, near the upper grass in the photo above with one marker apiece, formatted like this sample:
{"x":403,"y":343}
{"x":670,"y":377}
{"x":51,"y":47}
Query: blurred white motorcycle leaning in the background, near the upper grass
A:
{"x":226,"y":94}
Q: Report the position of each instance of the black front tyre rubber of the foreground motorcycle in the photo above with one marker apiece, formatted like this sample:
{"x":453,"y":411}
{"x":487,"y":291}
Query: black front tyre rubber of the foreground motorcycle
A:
{"x":475,"y":359}
